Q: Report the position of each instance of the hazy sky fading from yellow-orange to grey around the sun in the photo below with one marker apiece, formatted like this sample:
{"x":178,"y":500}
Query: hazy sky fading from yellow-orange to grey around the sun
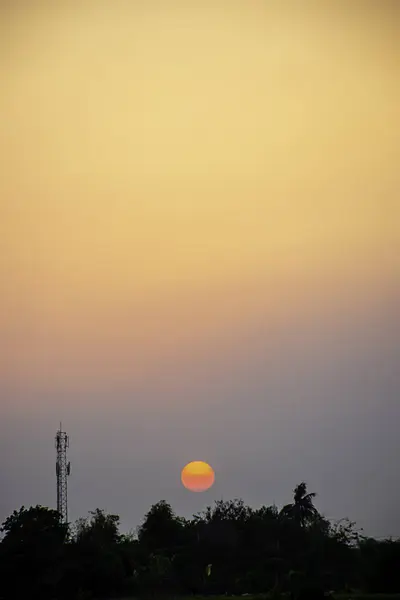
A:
{"x":200,"y":257}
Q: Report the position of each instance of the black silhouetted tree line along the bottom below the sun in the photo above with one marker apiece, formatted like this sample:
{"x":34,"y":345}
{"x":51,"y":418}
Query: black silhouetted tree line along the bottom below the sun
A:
{"x":229,"y":548}
